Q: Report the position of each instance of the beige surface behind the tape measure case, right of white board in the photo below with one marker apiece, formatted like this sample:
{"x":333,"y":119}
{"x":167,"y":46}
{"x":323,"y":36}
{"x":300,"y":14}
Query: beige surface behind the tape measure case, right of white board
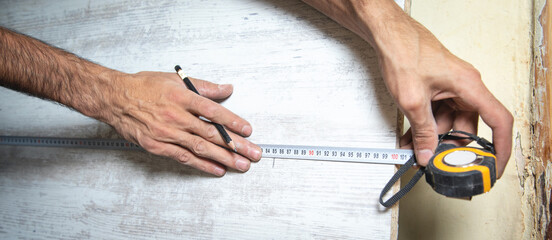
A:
{"x":495,"y":37}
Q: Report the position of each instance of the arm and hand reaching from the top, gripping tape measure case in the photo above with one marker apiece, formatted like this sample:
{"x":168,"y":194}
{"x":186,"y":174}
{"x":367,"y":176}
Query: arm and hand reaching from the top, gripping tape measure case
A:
{"x":434,"y":89}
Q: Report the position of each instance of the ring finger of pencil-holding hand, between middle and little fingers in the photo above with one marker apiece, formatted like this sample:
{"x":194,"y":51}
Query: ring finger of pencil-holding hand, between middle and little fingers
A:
{"x":205,"y":149}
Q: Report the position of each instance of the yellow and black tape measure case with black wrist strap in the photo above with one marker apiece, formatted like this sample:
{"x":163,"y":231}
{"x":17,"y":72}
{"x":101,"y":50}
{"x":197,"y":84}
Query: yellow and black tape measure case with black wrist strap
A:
{"x":458,"y":172}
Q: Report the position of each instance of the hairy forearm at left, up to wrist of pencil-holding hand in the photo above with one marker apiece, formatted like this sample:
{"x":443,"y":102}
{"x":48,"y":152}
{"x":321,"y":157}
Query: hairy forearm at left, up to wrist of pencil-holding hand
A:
{"x":36,"y":68}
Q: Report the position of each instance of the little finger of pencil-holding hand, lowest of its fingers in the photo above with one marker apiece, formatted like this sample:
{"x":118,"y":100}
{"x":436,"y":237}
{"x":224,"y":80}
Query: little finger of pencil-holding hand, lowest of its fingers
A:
{"x":183,"y":156}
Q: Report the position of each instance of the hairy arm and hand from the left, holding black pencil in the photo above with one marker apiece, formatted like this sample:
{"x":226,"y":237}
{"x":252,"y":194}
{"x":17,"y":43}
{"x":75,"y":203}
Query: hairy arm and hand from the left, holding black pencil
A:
{"x":153,"y":109}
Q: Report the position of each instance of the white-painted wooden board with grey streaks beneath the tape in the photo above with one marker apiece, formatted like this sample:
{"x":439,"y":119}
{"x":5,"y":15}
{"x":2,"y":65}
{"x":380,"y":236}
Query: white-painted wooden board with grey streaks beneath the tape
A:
{"x":299,"y":78}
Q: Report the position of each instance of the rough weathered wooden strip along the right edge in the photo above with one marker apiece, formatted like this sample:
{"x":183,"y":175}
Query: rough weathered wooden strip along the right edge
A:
{"x":540,"y":162}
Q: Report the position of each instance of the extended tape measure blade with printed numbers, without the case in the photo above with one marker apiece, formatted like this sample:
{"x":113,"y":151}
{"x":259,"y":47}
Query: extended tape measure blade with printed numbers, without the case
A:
{"x":319,"y":153}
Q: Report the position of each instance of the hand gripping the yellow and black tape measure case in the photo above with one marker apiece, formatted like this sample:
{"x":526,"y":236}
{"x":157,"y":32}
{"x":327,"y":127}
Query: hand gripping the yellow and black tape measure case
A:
{"x":437,"y":92}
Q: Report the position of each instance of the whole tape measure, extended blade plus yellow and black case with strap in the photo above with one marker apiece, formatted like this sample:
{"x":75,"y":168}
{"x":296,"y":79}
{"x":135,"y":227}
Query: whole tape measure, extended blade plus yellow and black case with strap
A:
{"x":453,"y":171}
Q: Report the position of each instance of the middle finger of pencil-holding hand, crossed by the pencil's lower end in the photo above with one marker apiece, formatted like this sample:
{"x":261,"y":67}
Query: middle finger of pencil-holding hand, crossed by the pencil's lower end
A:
{"x":209,"y":132}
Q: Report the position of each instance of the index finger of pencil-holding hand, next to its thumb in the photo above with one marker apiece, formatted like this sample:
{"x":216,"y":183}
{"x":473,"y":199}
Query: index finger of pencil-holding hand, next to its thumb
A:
{"x":216,"y":113}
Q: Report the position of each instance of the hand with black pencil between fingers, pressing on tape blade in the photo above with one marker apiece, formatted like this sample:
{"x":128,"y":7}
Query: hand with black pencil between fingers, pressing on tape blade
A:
{"x":158,"y":112}
